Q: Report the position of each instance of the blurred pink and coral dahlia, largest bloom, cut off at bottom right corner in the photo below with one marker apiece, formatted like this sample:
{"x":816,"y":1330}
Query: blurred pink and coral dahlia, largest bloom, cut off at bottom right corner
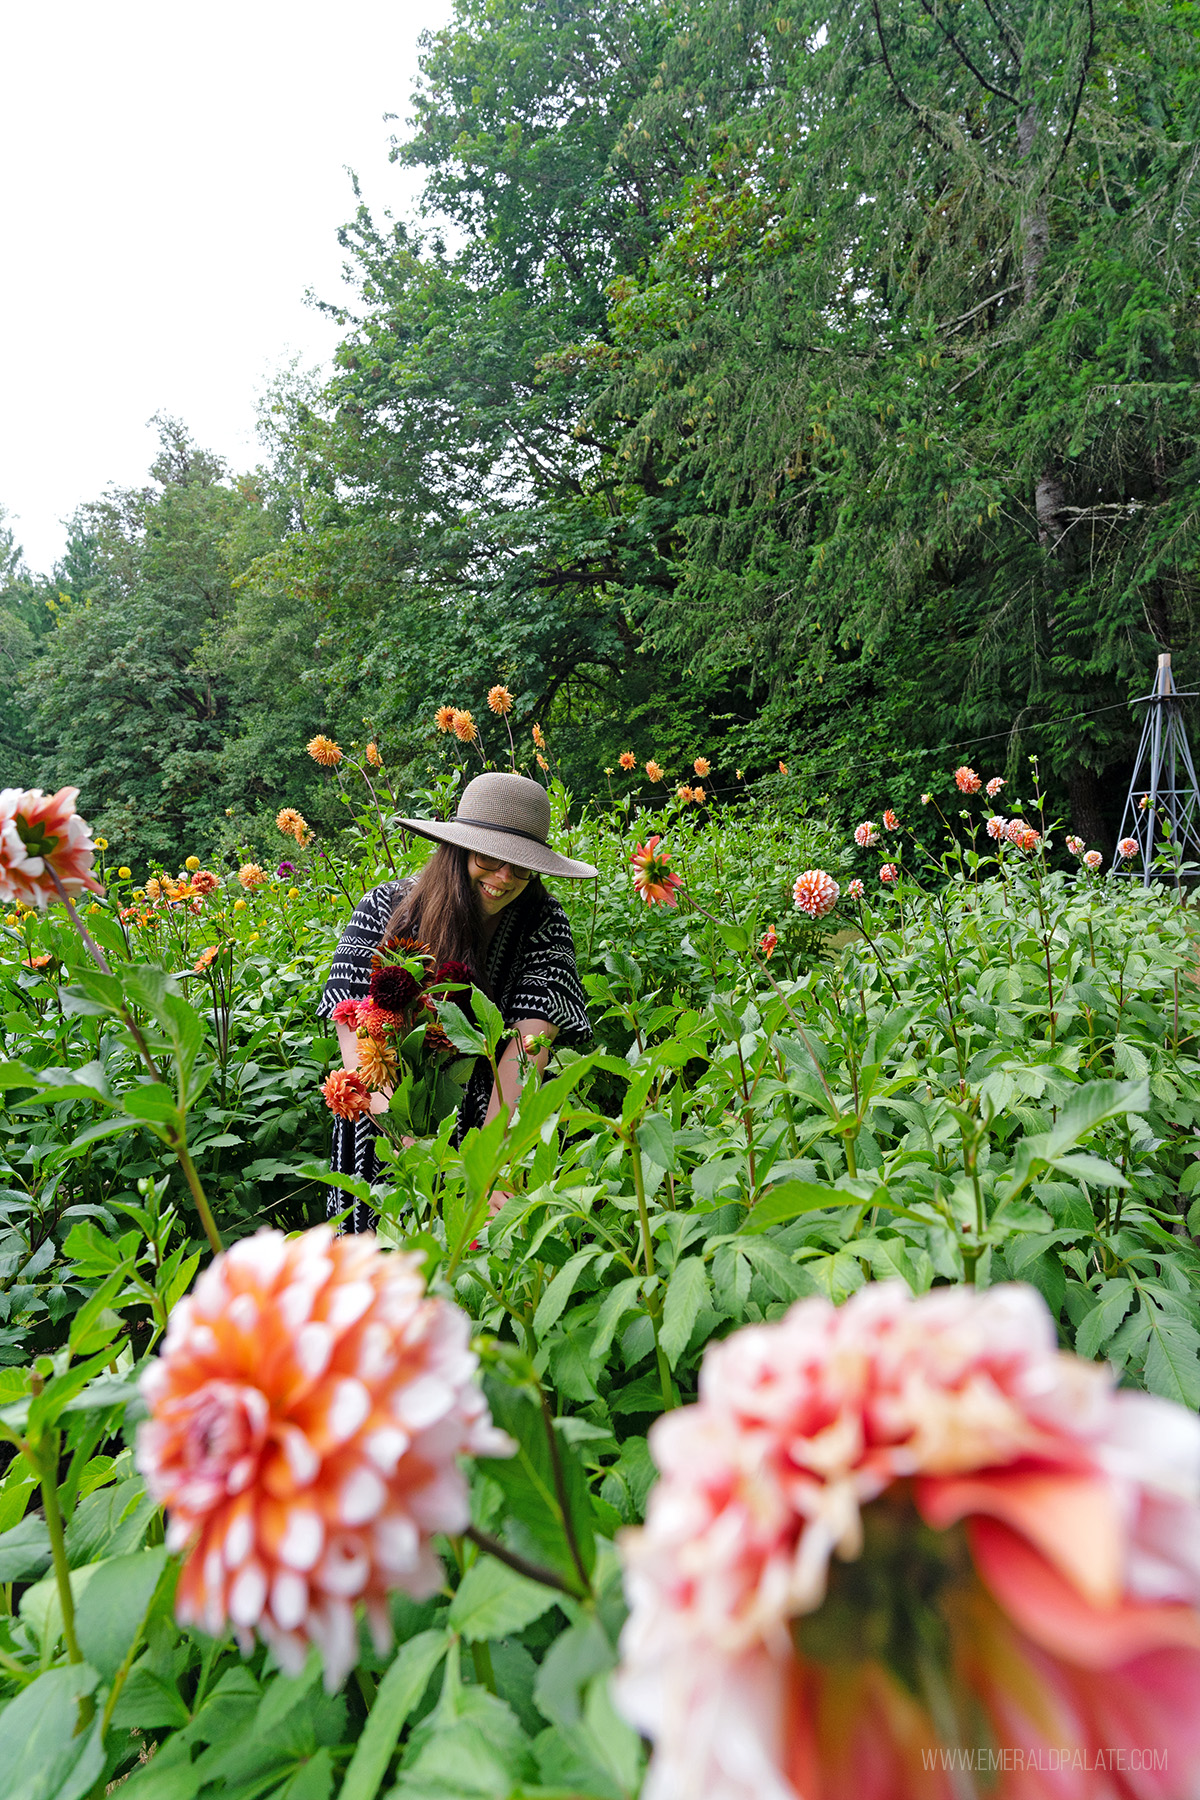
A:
{"x":906,"y":1527}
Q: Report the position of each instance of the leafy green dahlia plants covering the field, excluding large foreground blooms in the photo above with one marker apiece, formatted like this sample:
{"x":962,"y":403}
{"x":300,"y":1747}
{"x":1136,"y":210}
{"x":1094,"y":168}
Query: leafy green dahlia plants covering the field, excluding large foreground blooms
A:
{"x":987,"y":1072}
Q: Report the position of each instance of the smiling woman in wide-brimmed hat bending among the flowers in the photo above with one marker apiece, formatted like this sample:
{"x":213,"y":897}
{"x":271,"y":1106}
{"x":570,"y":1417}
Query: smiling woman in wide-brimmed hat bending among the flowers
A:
{"x":478,"y":901}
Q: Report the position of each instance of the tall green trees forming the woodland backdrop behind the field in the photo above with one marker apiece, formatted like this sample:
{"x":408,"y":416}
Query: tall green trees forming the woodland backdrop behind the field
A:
{"x":830,"y":375}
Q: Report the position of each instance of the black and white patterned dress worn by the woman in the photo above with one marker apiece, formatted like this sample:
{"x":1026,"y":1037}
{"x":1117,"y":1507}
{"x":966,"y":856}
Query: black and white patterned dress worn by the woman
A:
{"x":532,"y":971}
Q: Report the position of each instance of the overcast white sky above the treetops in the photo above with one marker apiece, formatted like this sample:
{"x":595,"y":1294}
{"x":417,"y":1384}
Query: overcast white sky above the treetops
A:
{"x":172,"y":181}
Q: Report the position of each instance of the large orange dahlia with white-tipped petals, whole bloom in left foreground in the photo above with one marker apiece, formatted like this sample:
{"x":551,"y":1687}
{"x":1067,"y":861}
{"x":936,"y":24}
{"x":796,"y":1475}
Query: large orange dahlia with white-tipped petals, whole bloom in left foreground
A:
{"x":305,"y":1425}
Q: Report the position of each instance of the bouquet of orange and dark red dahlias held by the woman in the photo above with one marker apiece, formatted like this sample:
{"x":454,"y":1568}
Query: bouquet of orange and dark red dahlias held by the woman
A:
{"x":404,"y":1048}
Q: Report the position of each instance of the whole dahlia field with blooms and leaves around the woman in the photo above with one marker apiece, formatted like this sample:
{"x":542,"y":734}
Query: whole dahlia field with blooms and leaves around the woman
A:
{"x":688,"y":1435}
